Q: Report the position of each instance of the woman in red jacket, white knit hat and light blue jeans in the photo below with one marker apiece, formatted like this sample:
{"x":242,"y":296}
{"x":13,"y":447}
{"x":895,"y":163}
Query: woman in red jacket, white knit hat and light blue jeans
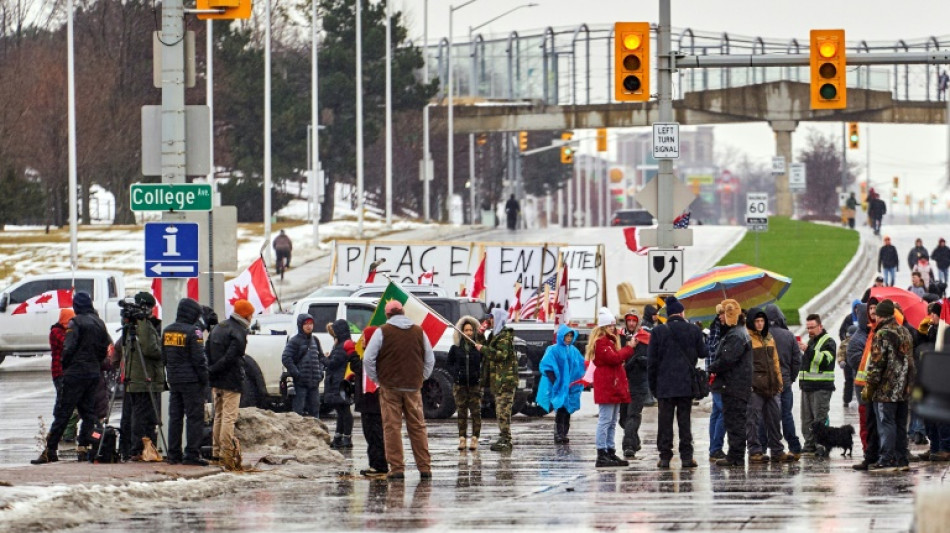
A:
{"x":610,"y":383}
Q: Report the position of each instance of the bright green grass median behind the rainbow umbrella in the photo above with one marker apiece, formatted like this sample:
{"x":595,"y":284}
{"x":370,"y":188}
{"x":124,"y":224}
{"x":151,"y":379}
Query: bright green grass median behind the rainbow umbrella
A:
{"x":813,"y":255}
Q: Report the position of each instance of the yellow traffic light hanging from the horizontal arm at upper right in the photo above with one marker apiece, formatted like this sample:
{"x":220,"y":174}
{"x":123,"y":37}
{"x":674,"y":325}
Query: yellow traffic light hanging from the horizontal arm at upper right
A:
{"x":828,"y":72}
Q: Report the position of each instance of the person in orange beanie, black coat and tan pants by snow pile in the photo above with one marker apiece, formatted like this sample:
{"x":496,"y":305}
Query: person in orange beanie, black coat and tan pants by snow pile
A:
{"x":225,"y":351}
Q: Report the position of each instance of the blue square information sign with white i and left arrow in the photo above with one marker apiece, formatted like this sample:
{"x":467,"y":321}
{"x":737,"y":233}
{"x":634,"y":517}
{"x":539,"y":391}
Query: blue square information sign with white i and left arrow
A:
{"x":171,"y":249}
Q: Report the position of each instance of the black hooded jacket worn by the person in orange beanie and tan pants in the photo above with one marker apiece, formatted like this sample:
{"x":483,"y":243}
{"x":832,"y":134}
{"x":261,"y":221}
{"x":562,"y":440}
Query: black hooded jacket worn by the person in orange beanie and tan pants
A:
{"x":225,"y":349}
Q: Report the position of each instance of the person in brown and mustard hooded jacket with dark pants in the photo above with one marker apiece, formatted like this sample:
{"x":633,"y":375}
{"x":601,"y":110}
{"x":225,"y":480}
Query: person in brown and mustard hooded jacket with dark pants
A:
{"x":764,"y":403}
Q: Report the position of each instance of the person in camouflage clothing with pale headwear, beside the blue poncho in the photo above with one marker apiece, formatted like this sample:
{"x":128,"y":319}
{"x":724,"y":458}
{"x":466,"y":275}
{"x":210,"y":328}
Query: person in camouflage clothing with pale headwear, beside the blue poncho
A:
{"x":500,"y":372}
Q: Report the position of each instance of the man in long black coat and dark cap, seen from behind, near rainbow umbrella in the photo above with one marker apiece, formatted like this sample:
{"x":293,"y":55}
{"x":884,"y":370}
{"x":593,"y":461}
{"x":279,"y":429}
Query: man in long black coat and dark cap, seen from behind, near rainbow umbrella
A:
{"x":675,"y":348}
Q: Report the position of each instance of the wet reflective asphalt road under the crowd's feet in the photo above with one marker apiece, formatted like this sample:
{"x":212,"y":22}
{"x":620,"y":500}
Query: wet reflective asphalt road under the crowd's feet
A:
{"x":537,"y":486}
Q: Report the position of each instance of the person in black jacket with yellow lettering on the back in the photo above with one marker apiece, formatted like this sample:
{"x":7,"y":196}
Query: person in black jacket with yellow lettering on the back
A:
{"x":187,"y":370}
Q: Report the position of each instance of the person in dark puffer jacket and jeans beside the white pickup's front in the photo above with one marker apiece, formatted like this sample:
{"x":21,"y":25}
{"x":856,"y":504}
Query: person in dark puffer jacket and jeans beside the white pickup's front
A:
{"x":303,"y":360}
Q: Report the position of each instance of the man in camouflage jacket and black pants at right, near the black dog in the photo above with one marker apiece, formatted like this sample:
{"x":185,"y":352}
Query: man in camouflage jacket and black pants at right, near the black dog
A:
{"x":890,"y":375}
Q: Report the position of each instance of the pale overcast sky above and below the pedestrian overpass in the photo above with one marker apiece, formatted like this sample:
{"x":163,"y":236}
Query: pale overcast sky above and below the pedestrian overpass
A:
{"x":916,"y":153}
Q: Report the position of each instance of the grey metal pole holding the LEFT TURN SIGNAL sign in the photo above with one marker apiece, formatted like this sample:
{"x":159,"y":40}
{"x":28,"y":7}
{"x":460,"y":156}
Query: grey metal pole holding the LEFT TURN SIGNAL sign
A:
{"x":665,"y":66}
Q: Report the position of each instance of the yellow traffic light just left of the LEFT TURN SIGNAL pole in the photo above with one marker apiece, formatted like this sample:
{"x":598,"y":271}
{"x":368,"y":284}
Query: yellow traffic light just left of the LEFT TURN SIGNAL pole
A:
{"x":632,"y":61}
